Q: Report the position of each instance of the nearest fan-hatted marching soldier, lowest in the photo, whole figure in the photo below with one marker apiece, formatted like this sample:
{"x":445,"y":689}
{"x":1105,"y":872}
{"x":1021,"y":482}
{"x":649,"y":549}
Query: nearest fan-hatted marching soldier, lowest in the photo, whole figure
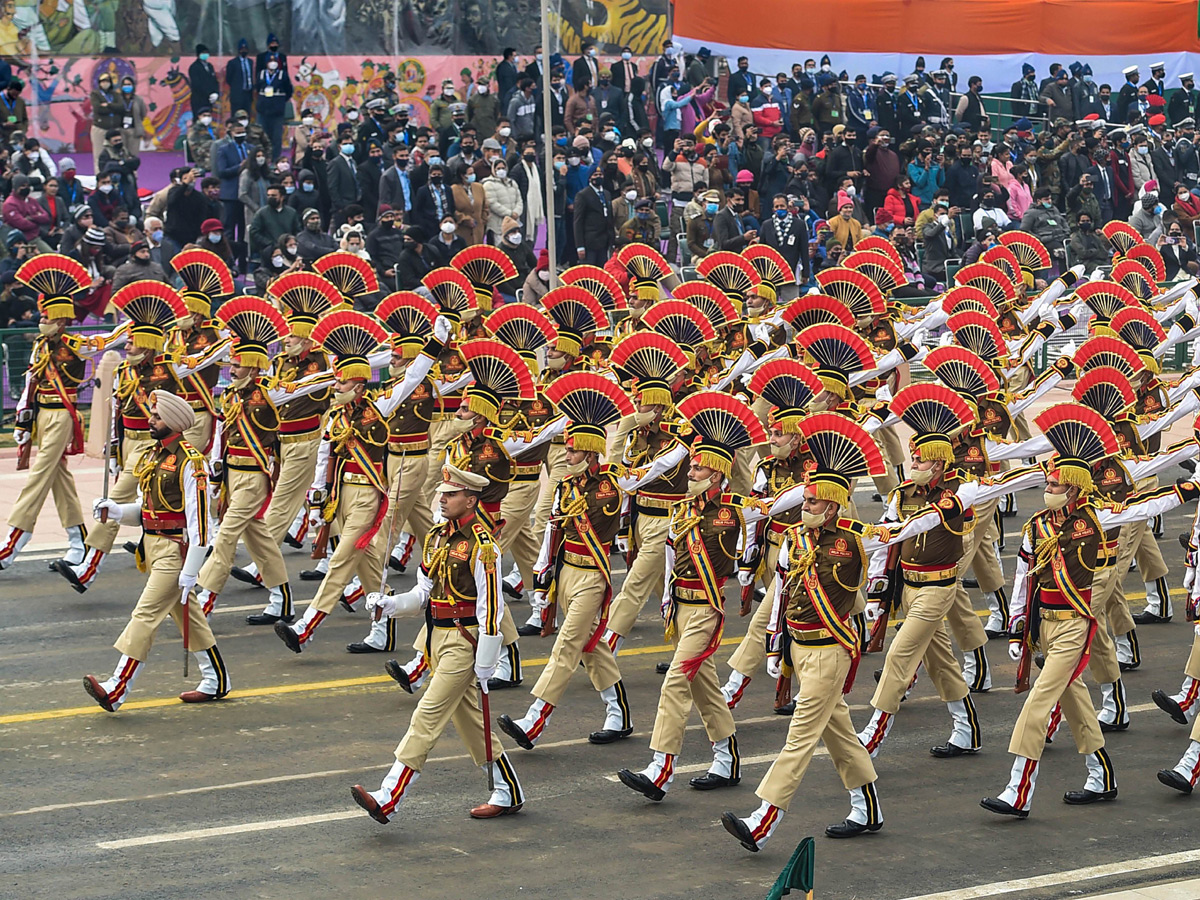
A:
{"x":823,"y":565}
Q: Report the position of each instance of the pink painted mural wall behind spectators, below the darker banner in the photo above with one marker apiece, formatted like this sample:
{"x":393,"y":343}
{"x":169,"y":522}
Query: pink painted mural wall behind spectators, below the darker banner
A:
{"x":329,"y":86}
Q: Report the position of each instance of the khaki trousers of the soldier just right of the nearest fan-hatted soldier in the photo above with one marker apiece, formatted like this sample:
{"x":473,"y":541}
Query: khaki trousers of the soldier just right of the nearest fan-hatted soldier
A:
{"x":922,"y":638}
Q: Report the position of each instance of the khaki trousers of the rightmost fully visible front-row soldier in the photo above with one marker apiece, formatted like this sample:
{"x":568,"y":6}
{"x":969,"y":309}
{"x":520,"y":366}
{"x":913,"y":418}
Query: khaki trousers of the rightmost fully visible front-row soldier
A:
{"x":1063,"y":644}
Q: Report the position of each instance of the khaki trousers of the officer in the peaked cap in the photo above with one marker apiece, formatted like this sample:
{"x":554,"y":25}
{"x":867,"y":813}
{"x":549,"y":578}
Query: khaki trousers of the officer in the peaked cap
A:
{"x":452,"y":695}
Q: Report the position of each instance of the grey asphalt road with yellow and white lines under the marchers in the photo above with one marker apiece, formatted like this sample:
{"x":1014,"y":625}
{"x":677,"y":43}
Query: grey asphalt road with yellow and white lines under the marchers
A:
{"x":250,"y":797}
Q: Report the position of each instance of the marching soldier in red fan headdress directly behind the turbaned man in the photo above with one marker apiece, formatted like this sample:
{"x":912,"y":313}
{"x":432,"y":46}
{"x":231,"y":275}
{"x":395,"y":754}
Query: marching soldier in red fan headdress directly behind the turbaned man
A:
{"x":153,"y":308}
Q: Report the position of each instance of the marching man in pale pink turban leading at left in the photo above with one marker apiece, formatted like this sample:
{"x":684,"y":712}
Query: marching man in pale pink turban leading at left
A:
{"x":173,"y":508}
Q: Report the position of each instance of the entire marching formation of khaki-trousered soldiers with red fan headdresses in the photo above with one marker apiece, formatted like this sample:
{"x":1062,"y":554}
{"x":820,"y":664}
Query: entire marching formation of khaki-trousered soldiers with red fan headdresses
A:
{"x":710,"y":435}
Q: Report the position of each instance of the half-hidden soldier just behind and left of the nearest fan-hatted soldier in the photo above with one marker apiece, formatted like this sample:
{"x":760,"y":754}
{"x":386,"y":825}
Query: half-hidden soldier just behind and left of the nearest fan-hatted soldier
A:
{"x":788,"y":387}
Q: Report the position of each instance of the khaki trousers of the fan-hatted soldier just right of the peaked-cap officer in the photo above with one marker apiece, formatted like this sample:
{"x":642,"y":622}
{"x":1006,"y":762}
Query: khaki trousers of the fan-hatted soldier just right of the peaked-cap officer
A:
{"x":580,"y":595}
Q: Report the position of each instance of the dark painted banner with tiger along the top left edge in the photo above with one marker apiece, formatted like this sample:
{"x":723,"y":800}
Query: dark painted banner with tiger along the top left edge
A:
{"x":171,"y":28}
